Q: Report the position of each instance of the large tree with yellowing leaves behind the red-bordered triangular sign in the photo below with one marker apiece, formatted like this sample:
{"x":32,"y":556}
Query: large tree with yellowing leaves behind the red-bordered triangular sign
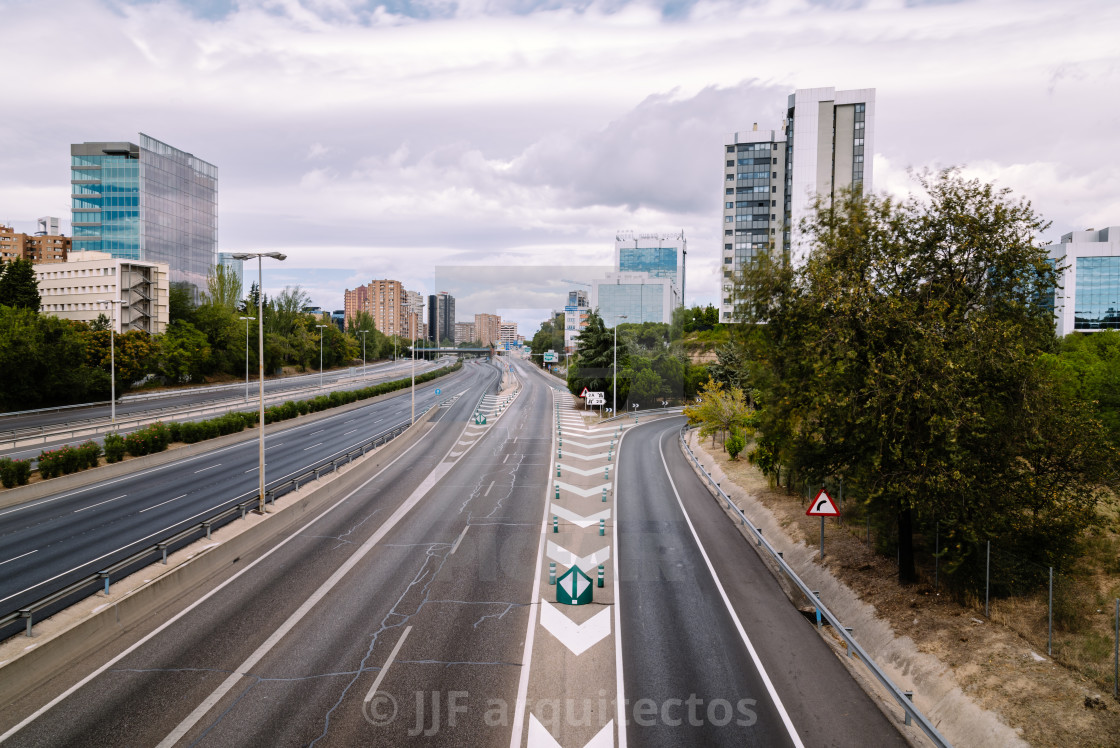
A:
{"x":906,"y":357}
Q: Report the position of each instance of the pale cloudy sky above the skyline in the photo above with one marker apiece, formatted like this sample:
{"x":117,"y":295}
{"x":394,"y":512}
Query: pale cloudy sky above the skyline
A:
{"x":410,"y":138}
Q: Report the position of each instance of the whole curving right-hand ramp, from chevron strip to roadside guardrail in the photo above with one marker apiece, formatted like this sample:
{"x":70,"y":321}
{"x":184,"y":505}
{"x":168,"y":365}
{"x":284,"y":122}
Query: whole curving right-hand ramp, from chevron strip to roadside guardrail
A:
{"x":694,"y":594}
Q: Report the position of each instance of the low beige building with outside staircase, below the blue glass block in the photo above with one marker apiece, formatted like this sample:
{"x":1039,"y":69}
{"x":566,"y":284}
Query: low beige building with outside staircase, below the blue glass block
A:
{"x":81,"y":287}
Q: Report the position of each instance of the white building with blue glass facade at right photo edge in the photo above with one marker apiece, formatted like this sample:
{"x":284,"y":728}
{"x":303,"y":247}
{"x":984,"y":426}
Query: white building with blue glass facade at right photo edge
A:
{"x":1088,"y":298}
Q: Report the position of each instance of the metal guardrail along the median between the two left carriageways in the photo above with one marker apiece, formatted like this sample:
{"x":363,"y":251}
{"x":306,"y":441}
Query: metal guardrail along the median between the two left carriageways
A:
{"x":203,"y":529}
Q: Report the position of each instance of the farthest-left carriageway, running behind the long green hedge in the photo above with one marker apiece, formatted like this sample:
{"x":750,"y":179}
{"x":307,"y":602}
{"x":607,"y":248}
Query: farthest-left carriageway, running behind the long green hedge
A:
{"x":24,"y":436}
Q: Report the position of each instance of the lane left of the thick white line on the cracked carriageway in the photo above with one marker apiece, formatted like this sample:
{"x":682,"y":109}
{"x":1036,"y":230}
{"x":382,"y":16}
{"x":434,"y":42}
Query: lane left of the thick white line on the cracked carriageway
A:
{"x":167,"y":677}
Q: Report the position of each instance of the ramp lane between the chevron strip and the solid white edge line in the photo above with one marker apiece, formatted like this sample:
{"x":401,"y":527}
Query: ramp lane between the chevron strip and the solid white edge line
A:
{"x":688,"y":679}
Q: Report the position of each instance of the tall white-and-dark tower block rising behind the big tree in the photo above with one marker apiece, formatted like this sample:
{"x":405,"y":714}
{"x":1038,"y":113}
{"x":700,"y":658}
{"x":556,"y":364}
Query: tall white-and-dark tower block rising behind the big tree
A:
{"x":772,"y":177}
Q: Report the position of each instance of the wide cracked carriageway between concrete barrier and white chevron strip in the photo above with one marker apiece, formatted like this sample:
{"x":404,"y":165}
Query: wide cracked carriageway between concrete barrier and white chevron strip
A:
{"x":417,"y":583}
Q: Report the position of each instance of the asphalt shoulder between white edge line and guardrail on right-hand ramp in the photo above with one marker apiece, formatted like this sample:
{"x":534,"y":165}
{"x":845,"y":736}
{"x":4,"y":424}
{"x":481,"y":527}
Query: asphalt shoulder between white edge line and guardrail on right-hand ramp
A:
{"x":823,"y":698}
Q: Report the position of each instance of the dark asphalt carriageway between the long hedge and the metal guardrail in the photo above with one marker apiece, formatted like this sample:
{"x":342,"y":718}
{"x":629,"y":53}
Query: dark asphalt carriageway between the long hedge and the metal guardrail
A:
{"x":51,"y":543}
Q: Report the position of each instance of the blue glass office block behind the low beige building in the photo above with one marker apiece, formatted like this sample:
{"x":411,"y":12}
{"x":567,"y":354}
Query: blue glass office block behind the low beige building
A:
{"x":146,"y":202}
